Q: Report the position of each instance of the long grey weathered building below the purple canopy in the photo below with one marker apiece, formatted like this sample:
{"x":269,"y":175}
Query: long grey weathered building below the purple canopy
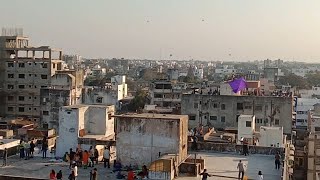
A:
{"x":223,"y":111}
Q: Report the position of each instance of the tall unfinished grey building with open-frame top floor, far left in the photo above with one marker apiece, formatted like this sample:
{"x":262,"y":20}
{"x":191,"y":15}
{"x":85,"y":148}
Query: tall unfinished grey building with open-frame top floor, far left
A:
{"x":24,"y":70}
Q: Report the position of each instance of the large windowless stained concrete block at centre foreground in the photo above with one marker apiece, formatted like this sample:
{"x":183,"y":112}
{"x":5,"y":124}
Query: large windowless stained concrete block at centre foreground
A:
{"x":140,"y":140}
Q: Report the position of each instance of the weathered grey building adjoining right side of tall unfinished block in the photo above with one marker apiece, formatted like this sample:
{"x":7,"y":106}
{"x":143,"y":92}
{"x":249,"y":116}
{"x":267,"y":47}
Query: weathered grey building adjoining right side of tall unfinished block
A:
{"x":65,"y":90}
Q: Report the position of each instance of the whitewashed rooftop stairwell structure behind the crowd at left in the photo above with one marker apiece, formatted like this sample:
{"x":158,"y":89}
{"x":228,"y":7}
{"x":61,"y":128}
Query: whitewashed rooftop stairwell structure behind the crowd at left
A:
{"x":95,"y":120}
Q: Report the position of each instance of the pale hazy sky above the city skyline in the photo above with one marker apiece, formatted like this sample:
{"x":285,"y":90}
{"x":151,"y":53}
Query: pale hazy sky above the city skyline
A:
{"x":198,"y":29}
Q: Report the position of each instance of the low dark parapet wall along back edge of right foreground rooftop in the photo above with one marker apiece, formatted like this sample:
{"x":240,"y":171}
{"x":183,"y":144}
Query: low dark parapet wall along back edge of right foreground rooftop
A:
{"x":224,"y":147}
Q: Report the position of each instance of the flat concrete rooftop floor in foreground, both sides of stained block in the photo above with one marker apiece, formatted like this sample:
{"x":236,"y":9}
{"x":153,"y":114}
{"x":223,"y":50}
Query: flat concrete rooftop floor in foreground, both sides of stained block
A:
{"x":217,"y":164}
